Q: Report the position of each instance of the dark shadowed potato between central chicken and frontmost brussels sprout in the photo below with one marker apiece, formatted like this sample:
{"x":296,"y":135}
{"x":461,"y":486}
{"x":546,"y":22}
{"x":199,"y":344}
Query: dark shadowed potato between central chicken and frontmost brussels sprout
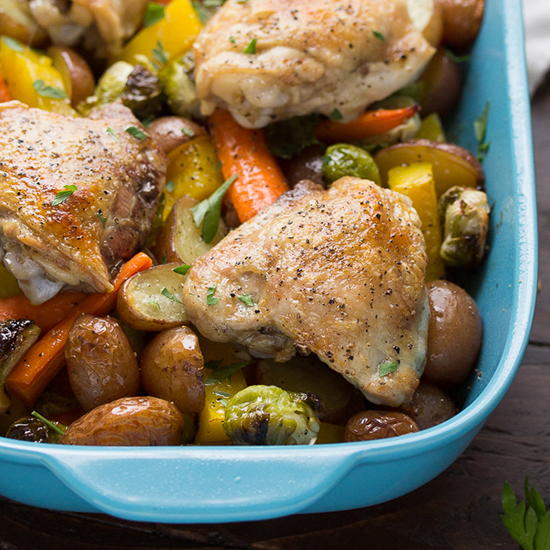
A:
{"x":338,"y":399}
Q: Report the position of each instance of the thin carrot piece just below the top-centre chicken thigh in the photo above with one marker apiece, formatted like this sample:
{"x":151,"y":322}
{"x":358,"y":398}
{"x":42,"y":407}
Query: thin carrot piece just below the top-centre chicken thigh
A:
{"x":371,"y":123}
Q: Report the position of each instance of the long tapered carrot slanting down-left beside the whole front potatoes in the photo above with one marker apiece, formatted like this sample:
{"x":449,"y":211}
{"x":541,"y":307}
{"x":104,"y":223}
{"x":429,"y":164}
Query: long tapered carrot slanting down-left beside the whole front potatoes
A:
{"x":45,"y":358}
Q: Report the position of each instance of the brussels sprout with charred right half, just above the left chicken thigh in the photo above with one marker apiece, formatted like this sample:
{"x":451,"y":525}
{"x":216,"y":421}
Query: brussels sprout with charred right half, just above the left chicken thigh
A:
{"x":137,"y":87}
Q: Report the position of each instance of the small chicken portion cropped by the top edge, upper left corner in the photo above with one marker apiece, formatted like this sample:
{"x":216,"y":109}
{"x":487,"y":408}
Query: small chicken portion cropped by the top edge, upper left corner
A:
{"x":102,"y":25}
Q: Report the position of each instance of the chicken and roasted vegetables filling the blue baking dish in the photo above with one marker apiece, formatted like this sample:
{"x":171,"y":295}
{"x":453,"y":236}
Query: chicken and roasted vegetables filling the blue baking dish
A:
{"x":237,"y":239}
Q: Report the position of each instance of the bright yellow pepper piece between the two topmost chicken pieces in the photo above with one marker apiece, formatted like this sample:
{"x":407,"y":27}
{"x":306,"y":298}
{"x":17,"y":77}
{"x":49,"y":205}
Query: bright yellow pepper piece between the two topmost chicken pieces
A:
{"x":173,"y":35}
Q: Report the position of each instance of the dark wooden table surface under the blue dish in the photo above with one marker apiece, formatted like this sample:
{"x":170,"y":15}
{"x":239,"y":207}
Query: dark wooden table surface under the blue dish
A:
{"x":460,"y":510}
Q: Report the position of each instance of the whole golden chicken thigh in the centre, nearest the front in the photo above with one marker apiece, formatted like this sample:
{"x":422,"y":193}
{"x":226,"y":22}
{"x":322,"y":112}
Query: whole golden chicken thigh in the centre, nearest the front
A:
{"x":339,"y":273}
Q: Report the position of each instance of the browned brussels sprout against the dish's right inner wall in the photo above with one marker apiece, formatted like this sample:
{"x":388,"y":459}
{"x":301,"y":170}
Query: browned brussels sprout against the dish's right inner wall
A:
{"x":464,"y":214}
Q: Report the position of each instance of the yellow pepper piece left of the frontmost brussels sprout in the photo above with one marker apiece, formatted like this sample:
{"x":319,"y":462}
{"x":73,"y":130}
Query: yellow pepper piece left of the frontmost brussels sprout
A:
{"x":212,"y":416}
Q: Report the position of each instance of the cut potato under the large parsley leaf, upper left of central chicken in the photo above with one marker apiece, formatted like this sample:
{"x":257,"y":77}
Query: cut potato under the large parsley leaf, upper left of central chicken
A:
{"x":180,"y":239}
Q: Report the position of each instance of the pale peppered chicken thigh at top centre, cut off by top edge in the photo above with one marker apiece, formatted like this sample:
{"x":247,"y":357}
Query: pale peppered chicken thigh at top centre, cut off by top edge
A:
{"x":305,"y":56}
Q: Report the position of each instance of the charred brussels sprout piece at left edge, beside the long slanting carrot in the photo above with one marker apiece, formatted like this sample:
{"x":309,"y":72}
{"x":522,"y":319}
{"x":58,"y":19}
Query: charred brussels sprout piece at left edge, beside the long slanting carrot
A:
{"x":16,"y":337}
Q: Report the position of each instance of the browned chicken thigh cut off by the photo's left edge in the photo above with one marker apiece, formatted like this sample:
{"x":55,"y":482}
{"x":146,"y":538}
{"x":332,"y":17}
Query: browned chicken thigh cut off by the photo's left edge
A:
{"x":52,"y":234}
